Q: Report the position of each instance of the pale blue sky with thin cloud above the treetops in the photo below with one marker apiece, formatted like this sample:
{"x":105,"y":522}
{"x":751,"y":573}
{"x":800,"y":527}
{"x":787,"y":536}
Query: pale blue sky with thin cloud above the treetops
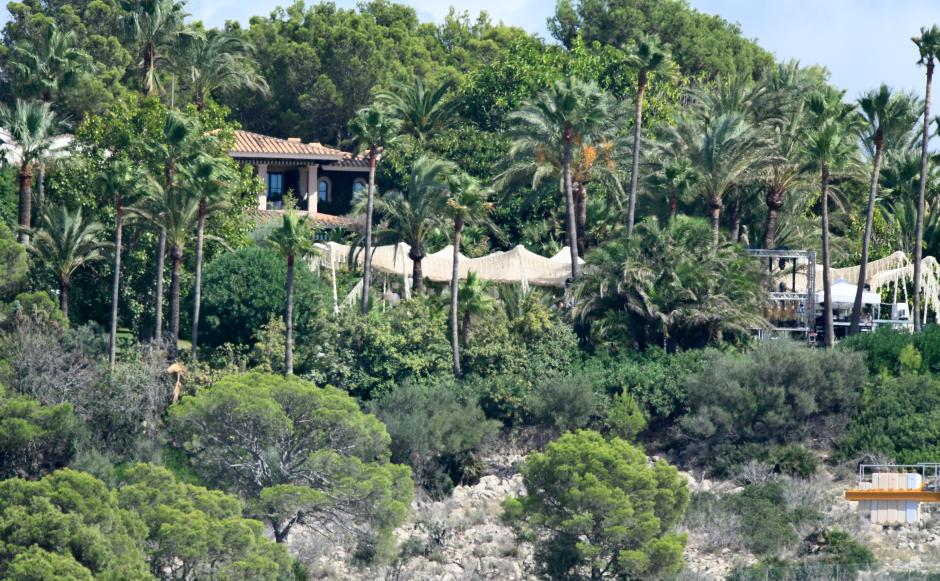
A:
{"x":862,"y":42}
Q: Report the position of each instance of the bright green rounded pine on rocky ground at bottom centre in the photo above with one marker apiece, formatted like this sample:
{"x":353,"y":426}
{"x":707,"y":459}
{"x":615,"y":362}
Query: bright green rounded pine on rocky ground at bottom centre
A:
{"x":596,"y":506}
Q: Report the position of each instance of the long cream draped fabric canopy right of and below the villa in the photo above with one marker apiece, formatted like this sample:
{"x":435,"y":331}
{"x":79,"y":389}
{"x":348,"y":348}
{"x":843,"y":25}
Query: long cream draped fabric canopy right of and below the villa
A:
{"x":516,"y":266}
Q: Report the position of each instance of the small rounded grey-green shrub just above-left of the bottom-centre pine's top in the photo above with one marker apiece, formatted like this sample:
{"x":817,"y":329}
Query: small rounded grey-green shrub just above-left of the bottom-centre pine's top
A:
{"x":565,"y":402}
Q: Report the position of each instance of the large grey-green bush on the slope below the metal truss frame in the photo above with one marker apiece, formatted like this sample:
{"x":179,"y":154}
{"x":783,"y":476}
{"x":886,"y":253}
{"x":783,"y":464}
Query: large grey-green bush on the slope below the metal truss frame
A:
{"x":777,"y":394}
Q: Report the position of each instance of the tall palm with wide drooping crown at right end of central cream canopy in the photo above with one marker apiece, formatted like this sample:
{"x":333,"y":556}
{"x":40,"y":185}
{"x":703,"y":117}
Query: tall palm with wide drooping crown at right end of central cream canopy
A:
{"x":570,"y":111}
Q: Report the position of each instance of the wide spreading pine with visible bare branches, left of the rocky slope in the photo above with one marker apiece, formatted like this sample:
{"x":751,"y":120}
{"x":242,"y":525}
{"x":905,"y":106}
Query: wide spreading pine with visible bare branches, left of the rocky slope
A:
{"x":300,"y":454}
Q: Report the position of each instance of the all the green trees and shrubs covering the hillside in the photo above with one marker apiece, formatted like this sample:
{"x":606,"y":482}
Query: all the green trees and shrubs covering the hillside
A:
{"x":188,"y":386}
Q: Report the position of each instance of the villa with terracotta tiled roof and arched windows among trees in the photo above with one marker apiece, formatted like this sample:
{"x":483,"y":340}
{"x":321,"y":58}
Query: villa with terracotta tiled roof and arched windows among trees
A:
{"x":324,"y":180}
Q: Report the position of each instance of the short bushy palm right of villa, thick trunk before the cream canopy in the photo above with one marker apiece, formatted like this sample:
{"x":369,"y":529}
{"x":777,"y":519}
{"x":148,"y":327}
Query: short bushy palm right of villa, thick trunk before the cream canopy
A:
{"x":413,"y":215}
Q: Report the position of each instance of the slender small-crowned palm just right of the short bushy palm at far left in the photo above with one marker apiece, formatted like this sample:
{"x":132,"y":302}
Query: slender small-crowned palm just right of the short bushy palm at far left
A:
{"x":121,"y":182}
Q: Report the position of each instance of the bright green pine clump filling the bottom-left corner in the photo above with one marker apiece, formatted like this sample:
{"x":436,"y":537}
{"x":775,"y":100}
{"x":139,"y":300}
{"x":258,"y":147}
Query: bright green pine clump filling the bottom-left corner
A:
{"x":70,"y":526}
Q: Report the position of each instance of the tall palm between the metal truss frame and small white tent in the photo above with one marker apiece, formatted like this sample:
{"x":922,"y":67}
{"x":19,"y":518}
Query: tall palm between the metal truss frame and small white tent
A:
{"x":828,"y":146}
